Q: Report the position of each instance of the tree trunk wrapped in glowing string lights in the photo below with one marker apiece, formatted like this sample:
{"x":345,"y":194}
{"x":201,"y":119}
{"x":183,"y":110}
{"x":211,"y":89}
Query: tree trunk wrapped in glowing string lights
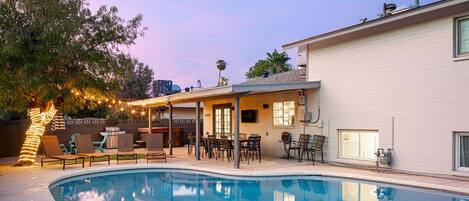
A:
{"x":39,"y":120}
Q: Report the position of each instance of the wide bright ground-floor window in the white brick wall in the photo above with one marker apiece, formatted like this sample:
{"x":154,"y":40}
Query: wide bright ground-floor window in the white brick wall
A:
{"x":358,"y":144}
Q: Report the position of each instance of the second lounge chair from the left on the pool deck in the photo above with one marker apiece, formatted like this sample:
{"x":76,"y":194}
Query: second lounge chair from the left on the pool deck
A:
{"x":85,"y":148}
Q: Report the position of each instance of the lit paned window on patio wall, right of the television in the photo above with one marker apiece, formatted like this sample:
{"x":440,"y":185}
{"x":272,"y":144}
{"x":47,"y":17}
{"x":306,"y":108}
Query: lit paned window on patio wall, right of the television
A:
{"x":284,"y":113}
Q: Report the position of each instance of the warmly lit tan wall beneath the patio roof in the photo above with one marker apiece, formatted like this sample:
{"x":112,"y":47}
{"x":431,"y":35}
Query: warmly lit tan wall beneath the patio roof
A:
{"x":264,"y":126}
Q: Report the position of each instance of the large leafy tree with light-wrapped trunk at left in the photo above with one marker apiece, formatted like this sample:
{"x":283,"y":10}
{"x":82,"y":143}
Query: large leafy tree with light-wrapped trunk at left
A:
{"x":51,"y":49}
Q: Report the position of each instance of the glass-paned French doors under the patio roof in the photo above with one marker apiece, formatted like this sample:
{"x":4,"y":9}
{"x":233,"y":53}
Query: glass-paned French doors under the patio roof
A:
{"x":222,"y":120}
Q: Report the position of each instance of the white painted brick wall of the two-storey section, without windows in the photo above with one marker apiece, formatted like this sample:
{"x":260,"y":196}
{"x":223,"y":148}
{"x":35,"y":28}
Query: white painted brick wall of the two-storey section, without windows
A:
{"x":408,"y":74}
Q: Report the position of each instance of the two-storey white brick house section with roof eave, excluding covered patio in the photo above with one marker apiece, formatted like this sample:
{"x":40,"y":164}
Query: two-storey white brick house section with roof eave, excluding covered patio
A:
{"x":406,"y":78}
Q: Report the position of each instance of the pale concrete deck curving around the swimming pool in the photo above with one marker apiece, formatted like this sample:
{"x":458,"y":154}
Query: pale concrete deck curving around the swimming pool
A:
{"x":31,"y":183}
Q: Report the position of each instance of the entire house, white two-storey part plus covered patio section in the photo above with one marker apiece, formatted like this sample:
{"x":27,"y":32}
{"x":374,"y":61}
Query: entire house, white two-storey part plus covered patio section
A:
{"x":400,"y":82}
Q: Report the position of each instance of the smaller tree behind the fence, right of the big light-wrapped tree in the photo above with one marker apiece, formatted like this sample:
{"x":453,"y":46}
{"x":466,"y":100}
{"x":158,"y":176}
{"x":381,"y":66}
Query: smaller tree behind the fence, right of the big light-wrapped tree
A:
{"x":137,"y":84}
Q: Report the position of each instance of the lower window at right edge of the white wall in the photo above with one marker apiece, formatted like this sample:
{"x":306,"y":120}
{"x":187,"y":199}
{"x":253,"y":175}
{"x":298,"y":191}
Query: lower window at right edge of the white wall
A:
{"x":462,"y":151}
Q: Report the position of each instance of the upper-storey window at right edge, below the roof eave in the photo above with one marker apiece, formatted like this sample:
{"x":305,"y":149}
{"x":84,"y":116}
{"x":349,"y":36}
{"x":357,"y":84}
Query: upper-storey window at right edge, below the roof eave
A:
{"x":462,"y":36}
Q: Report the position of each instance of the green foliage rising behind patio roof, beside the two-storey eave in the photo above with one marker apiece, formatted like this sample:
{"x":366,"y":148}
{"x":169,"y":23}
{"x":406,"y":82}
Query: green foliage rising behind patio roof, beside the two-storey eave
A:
{"x":274,"y":63}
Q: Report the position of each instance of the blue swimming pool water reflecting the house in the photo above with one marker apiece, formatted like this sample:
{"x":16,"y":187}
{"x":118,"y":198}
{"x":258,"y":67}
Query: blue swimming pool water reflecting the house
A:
{"x":175,"y":185}
